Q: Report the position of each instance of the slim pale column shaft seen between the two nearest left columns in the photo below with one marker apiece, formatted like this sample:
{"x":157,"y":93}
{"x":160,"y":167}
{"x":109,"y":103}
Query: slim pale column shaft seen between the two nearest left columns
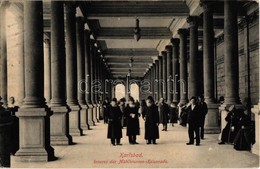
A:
{"x":47,"y":70}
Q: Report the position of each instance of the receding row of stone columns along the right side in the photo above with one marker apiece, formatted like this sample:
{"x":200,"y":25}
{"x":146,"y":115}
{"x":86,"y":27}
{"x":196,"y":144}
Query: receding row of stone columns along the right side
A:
{"x":173,"y":64}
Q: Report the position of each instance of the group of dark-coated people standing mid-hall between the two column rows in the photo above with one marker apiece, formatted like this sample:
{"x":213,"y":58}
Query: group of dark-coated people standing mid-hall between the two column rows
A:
{"x":117,"y":115}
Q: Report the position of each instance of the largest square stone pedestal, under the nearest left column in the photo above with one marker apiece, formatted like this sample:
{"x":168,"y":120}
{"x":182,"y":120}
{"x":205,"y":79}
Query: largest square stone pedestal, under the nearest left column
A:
{"x":34,"y":136}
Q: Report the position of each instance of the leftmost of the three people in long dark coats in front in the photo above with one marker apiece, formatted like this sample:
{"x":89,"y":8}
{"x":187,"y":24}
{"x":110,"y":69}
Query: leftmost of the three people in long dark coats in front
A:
{"x":114,"y":123}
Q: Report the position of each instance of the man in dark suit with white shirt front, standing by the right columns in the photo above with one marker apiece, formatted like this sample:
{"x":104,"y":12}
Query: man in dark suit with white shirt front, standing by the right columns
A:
{"x":193,"y":121}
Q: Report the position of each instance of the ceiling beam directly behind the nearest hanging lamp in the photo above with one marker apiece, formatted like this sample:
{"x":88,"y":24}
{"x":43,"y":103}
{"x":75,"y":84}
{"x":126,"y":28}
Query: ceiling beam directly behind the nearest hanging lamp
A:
{"x":127,"y":33}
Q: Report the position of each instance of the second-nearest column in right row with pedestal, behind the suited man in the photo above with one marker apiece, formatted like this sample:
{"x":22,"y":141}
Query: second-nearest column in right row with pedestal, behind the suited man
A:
{"x":211,"y":121}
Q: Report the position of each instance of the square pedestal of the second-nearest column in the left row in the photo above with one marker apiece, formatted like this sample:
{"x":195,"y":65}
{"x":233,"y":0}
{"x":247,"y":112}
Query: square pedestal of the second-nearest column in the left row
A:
{"x":60,"y":126}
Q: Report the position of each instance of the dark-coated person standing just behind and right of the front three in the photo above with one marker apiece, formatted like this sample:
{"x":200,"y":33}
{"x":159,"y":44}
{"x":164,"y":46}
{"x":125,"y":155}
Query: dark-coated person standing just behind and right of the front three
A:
{"x":163,"y":111}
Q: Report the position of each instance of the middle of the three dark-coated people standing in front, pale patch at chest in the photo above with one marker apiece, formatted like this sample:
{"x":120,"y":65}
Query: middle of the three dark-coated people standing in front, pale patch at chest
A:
{"x":132,"y":123}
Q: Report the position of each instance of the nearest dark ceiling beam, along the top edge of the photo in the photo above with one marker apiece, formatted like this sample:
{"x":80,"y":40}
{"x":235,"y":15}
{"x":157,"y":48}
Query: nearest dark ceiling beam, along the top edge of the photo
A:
{"x":97,"y":9}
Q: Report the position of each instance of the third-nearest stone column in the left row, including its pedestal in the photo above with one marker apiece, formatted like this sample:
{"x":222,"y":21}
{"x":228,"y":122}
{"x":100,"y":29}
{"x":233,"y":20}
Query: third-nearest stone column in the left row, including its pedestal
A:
{"x":71,"y":69}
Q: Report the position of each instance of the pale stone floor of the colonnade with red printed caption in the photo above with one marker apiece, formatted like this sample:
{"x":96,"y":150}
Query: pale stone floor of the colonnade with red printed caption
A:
{"x":94,"y":150}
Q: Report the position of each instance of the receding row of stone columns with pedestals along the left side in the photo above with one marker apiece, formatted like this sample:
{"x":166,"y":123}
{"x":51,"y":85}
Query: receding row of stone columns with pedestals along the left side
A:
{"x":59,"y":98}
